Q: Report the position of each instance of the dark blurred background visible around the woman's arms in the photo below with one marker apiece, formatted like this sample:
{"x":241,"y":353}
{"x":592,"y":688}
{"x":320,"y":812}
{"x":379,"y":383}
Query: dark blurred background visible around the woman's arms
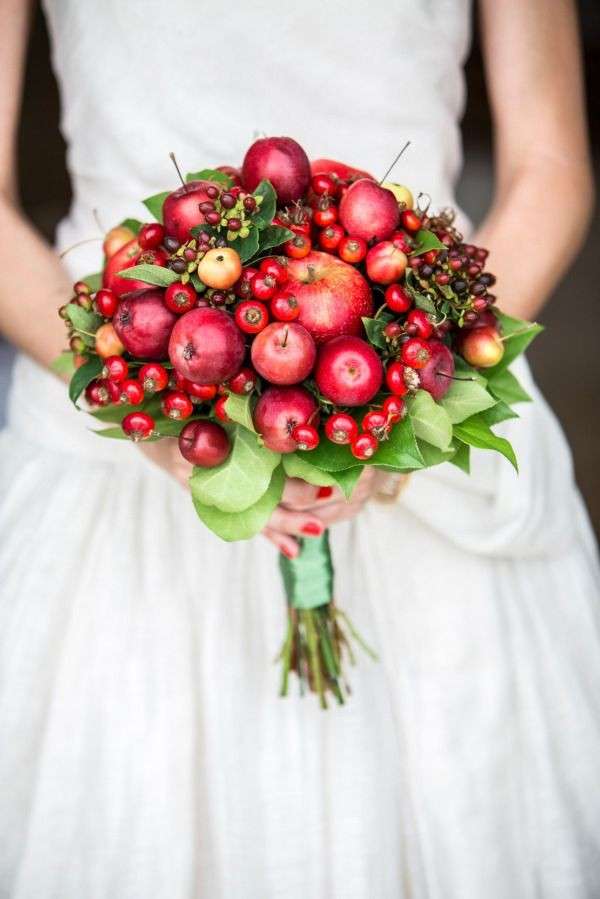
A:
{"x":571,"y":385}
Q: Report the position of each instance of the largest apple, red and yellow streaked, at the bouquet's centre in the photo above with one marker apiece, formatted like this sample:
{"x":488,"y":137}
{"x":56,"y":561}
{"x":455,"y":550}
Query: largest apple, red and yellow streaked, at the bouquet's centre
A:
{"x":332,"y":295}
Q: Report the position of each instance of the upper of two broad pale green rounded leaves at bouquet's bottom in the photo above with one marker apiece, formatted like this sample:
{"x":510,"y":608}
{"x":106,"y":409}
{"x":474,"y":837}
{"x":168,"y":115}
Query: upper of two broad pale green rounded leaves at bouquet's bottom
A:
{"x":241,"y":480}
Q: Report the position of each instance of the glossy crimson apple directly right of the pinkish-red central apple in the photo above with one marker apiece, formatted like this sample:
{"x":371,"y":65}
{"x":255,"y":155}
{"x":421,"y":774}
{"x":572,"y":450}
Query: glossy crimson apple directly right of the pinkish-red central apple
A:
{"x":348,"y":371}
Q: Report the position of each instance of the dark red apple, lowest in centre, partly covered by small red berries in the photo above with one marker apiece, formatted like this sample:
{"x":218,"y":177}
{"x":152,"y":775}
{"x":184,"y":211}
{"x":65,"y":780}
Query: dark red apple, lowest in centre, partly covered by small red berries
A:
{"x":277,"y":413}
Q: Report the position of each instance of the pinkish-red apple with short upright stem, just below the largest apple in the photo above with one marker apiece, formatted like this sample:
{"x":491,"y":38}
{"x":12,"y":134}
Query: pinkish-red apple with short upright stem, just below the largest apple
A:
{"x":284,"y":353}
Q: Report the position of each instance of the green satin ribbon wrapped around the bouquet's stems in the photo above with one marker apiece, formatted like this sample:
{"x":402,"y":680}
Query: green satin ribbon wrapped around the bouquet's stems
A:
{"x":308,"y":579}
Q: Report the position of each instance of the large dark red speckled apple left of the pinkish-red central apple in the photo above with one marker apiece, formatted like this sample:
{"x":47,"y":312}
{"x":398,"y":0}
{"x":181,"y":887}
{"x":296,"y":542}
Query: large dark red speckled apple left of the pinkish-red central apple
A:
{"x":206,"y":346}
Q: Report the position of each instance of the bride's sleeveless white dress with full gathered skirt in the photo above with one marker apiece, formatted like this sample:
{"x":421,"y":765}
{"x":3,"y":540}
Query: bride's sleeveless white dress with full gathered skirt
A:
{"x":144,"y":752}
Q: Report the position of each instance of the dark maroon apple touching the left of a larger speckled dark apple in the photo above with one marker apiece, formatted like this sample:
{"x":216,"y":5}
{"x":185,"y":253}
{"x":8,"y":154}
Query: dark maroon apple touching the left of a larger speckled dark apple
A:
{"x":144,"y":324}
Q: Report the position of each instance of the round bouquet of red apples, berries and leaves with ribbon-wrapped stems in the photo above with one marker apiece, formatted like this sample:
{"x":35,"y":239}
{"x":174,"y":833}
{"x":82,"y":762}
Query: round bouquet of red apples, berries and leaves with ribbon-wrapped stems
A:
{"x":294,"y":319}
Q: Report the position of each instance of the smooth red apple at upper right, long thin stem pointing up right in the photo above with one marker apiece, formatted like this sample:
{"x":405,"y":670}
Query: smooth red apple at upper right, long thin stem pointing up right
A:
{"x":369,"y":211}
